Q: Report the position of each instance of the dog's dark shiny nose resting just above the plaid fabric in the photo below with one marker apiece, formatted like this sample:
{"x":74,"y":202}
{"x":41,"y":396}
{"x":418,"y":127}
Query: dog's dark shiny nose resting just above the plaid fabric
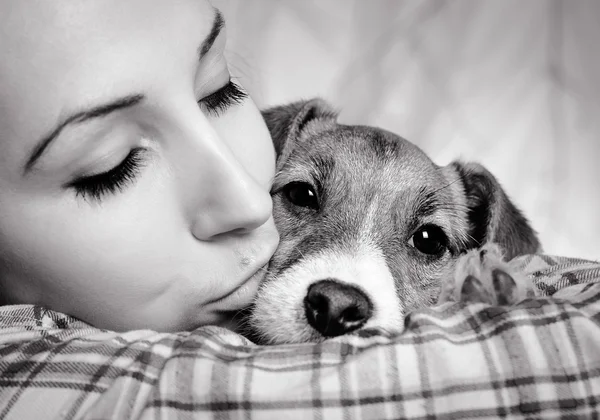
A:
{"x":334,"y":308}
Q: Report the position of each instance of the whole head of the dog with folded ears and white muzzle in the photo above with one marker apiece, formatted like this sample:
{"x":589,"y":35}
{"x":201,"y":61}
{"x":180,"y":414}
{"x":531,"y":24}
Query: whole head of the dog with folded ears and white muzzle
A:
{"x":368,"y":225}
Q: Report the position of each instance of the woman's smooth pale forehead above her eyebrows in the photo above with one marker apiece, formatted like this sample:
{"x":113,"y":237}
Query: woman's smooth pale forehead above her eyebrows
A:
{"x":60,"y":55}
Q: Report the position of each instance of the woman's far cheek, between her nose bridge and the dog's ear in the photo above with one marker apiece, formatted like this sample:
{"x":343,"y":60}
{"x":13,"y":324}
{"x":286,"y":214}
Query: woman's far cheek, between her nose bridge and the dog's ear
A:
{"x":247,"y":136}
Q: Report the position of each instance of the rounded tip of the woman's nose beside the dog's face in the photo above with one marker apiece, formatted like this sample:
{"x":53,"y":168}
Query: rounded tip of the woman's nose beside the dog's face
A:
{"x":233,"y":201}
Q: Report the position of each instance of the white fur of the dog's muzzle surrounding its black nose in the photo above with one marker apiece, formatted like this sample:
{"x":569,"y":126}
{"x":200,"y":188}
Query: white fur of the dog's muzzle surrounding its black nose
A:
{"x":279,"y":313}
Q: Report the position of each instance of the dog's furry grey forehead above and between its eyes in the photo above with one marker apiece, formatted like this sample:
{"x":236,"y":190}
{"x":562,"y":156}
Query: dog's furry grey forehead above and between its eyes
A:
{"x":363,"y":170}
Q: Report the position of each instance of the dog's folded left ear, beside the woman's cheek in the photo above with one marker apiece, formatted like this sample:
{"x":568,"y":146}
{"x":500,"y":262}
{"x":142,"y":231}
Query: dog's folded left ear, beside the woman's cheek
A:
{"x":286,"y":122}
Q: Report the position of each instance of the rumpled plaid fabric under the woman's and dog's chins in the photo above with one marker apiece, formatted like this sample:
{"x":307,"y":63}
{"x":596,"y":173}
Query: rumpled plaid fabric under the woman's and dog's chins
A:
{"x":540,"y":359}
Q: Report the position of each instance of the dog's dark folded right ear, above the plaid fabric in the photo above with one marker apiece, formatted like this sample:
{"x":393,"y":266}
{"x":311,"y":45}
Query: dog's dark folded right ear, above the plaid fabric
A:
{"x":492,"y":216}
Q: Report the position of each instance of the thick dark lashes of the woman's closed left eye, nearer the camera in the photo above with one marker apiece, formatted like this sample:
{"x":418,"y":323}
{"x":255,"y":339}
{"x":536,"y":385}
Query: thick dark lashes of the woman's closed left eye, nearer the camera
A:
{"x":116,"y":179}
